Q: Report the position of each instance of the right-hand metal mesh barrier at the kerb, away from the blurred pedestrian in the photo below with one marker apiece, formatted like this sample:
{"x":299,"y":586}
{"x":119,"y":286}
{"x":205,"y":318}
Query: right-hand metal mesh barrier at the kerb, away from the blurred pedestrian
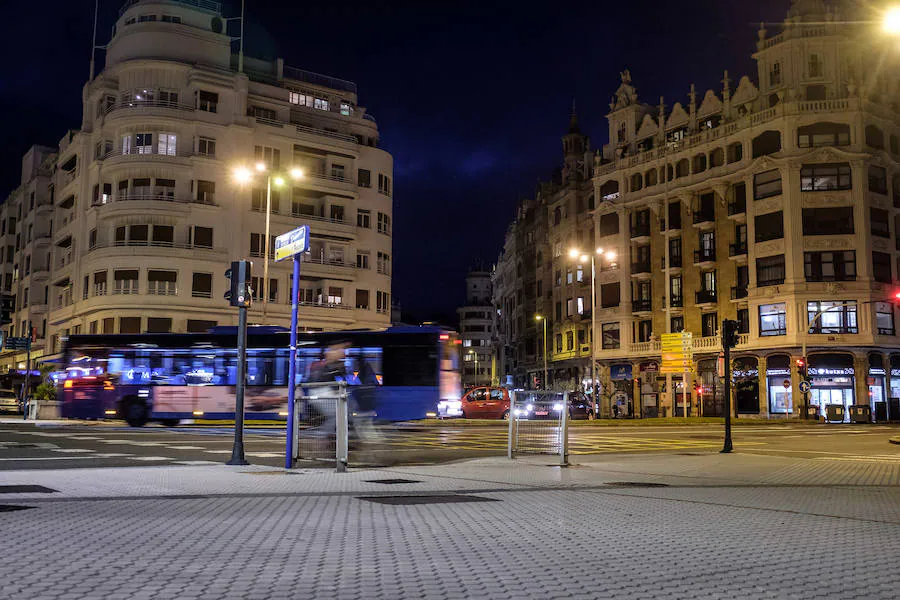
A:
{"x":539,"y":424}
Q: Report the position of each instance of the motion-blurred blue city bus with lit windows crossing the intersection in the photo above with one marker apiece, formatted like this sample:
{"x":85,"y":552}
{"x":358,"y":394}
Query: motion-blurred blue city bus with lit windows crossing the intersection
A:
{"x":170,"y":377}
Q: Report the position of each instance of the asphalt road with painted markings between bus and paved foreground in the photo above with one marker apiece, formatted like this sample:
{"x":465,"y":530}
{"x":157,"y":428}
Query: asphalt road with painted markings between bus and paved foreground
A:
{"x":82,"y":444}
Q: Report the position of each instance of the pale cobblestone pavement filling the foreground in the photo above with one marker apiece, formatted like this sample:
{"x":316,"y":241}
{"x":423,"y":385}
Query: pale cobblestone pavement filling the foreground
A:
{"x":736,"y":526}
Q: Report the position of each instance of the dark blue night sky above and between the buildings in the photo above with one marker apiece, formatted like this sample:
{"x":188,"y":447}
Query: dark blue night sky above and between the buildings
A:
{"x":471,"y":98}
